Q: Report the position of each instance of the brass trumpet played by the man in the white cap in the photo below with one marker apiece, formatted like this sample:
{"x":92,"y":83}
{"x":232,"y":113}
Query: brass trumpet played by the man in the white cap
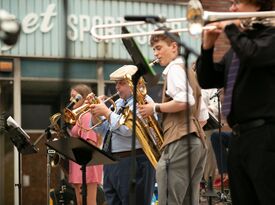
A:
{"x":73,"y":116}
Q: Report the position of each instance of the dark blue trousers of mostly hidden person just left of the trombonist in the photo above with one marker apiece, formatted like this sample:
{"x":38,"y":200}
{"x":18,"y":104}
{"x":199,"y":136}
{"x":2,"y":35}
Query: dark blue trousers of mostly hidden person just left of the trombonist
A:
{"x":221,"y":149}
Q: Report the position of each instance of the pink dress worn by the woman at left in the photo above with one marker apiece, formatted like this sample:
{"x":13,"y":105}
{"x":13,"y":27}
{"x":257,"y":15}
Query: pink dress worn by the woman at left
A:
{"x":93,"y":173}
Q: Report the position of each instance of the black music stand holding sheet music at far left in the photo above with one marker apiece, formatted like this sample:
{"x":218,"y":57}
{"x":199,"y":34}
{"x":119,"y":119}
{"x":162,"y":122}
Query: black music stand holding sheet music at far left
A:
{"x":24,"y":146}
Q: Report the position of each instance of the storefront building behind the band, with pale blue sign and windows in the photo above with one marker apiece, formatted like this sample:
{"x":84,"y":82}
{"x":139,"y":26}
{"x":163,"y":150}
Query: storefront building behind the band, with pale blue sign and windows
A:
{"x":56,"y":50}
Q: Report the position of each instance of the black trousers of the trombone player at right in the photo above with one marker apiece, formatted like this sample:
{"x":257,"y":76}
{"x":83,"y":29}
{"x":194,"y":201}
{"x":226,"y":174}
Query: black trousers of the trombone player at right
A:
{"x":251,"y":166}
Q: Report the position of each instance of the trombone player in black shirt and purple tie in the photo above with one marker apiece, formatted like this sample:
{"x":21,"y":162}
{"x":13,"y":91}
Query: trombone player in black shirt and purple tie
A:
{"x":247,"y":72}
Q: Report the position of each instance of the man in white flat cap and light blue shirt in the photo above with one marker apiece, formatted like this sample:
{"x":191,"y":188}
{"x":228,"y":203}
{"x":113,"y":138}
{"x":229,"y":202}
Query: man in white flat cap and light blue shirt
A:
{"x":118,"y":139}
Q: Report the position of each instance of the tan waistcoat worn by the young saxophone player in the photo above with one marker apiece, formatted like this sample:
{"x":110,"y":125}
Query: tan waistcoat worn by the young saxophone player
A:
{"x":175,"y":124}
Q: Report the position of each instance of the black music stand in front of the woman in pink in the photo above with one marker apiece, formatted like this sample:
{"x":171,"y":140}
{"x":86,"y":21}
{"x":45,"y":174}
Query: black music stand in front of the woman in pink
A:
{"x":83,"y":153}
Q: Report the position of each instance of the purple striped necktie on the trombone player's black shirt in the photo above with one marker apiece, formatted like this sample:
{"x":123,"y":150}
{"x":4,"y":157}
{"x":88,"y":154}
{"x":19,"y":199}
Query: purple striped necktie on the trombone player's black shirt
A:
{"x":231,"y":79}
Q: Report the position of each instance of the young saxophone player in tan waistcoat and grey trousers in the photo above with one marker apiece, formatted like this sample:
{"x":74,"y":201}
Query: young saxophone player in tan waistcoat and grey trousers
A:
{"x":173,"y":178}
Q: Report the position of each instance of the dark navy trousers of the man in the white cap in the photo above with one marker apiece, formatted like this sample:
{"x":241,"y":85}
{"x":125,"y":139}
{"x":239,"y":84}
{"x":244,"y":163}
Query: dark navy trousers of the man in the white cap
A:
{"x":117,"y":181}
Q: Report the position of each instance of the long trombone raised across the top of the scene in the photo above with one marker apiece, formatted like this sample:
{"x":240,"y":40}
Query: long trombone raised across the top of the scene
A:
{"x":196,"y":18}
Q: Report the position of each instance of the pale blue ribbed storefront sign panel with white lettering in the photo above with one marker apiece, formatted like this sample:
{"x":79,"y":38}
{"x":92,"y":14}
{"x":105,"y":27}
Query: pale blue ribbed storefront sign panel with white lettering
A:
{"x":44,"y":35}
